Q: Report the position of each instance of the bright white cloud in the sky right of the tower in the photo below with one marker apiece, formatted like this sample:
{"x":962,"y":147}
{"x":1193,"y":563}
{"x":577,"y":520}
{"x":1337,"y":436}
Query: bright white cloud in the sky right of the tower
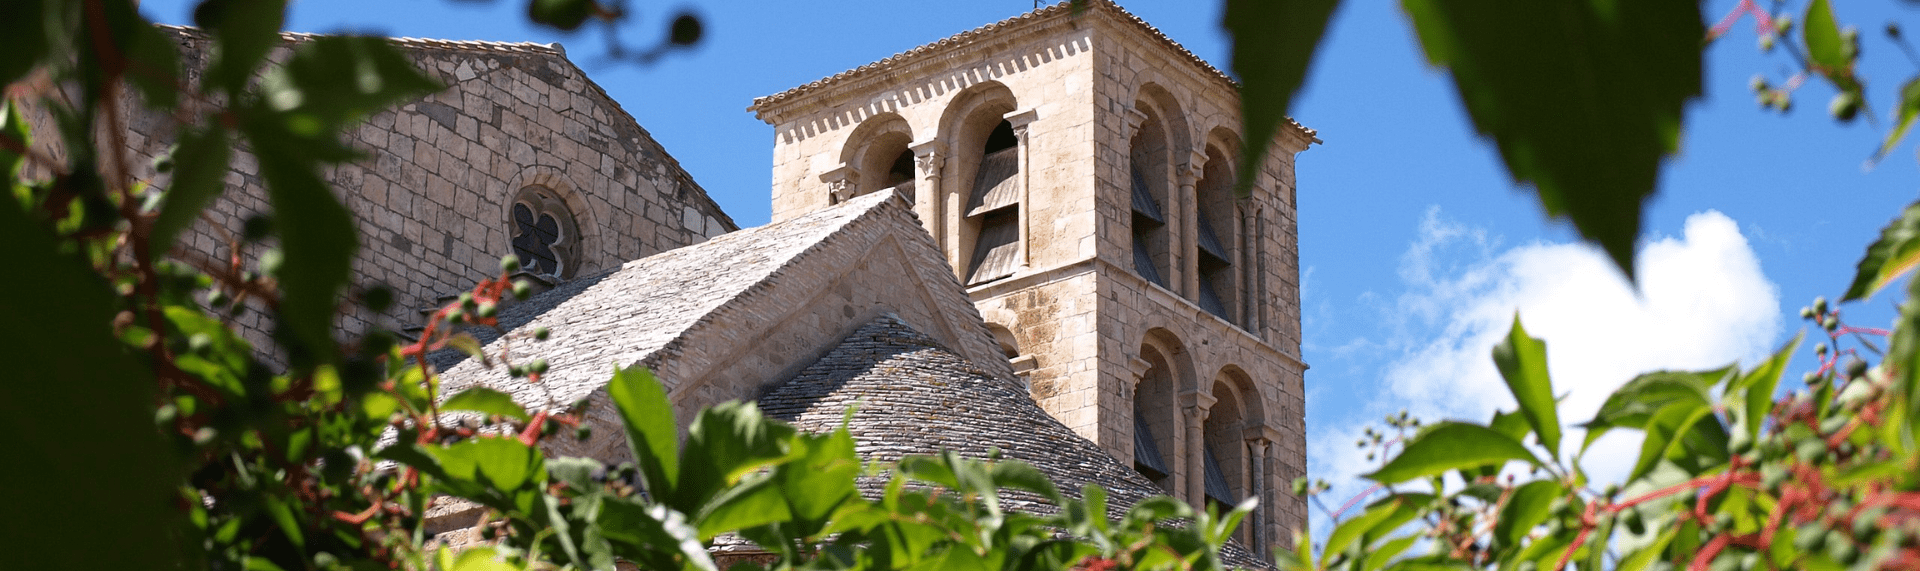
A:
{"x":1702,"y":303}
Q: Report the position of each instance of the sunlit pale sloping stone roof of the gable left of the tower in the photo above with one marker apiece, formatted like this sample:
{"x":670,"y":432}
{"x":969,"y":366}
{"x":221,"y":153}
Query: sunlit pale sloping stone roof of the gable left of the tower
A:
{"x":644,"y":309}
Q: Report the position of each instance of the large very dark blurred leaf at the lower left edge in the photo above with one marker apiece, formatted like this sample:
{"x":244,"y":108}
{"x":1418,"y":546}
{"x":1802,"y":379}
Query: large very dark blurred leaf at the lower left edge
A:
{"x":72,"y":380}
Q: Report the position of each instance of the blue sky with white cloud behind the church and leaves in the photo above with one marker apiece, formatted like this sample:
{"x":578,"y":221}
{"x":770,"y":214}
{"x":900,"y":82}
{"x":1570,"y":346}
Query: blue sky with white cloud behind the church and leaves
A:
{"x":1416,"y":245}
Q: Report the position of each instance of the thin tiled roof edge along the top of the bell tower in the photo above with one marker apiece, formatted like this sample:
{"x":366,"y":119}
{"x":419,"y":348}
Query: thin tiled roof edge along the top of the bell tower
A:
{"x":1044,"y":14}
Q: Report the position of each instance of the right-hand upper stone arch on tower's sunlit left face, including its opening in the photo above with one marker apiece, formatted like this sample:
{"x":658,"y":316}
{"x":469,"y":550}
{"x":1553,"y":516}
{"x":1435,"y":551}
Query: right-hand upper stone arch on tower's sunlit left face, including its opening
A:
{"x":976,"y":134}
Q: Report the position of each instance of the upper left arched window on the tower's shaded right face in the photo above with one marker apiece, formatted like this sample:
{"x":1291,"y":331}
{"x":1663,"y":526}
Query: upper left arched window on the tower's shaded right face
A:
{"x":1147,"y":168}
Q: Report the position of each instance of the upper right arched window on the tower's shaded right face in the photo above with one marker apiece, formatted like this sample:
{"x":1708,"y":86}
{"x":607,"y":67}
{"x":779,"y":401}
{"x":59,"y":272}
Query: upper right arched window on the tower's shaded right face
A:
{"x":1216,"y":230}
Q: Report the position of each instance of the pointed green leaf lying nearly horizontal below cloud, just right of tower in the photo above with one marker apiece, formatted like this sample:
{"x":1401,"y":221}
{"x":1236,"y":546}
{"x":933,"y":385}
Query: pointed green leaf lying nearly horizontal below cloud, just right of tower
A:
{"x":1449,"y":447}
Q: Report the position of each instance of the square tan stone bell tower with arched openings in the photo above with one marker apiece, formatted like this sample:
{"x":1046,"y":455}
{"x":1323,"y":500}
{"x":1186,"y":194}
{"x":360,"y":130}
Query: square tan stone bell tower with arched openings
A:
{"x":1078,"y":170}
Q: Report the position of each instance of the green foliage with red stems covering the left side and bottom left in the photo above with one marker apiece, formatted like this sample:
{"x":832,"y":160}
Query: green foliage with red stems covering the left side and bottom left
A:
{"x":183,"y":449}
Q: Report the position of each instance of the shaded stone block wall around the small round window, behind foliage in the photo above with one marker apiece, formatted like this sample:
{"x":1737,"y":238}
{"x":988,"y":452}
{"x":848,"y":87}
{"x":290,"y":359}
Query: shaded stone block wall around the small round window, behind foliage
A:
{"x":435,"y":189}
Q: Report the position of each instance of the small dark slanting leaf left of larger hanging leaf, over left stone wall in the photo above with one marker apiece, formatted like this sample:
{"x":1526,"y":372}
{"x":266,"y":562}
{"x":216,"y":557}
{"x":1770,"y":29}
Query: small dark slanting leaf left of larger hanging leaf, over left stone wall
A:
{"x":199,"y":178}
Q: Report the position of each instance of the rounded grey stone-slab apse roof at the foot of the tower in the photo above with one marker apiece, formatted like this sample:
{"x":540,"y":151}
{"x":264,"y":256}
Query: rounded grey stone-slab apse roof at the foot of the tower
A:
{"x":915,"y":397}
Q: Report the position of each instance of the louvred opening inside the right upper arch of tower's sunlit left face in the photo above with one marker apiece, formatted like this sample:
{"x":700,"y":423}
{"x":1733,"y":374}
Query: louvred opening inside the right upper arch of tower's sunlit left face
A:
{"x":994,"y":207}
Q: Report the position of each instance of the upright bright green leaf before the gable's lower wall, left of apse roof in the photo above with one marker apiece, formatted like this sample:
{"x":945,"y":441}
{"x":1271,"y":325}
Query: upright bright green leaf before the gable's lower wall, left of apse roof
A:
{"x":650,"y":428}
